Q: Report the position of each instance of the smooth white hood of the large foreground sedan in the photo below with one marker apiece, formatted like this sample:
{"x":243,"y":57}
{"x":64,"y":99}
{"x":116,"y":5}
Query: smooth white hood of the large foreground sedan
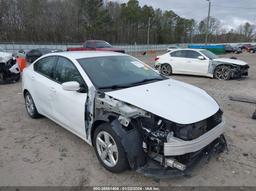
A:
{"x":173,"y":100}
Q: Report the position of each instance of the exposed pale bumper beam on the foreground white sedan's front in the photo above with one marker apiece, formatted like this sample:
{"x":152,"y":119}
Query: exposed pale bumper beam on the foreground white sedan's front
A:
{"x":177,"y":146}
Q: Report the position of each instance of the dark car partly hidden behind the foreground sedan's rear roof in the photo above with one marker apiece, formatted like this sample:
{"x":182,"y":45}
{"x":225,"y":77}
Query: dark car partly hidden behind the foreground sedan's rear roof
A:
{"x":34,"y":54}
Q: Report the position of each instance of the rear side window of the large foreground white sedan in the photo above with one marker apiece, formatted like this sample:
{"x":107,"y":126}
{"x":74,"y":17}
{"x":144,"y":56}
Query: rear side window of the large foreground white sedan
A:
{"x":45,"y":66}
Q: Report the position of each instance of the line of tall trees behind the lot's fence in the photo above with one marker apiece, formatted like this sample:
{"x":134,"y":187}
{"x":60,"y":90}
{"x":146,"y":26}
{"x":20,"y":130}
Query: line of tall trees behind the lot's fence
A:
{"x":72,"y":21}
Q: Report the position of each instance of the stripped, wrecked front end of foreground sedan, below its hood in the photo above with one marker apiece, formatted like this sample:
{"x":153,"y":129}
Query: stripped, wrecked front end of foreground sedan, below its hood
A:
{"x":156,"y":146}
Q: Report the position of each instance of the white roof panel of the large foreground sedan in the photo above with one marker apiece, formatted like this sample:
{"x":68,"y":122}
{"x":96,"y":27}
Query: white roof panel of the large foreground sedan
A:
{"x":85,"y":54}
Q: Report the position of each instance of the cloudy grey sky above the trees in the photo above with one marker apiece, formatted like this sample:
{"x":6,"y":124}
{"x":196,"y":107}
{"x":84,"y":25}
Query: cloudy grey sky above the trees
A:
{"x":231,"y":13}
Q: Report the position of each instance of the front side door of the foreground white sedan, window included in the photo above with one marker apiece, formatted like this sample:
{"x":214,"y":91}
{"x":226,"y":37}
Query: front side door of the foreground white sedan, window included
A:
{"x":69,"y":106}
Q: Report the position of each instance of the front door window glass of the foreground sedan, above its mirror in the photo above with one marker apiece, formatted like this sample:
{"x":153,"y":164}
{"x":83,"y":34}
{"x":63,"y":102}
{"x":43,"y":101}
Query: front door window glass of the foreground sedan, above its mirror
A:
{"x":66,"y":71}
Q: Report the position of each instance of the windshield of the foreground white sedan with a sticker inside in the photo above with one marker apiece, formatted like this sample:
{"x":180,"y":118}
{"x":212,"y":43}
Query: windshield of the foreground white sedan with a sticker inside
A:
{"x":116,"y":72}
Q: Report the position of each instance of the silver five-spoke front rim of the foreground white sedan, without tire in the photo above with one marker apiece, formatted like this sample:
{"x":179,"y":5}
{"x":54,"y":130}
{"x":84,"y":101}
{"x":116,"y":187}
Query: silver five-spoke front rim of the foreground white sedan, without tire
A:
{"x":107,"y":149}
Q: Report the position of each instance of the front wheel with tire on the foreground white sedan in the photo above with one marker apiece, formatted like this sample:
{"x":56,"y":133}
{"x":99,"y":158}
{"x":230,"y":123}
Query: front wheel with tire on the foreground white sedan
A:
{"x":103,"y":138}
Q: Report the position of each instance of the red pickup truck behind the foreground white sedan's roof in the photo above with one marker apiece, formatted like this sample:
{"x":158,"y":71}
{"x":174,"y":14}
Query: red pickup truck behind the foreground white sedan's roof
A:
{"x":98,"y":45}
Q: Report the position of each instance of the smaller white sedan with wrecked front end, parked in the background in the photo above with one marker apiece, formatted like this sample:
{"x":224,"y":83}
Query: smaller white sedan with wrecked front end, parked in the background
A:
{"x":200,"y":62}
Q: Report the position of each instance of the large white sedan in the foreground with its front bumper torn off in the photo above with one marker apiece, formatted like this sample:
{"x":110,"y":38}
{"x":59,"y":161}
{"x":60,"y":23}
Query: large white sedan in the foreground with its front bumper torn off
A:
{"x":127,"y":111}
